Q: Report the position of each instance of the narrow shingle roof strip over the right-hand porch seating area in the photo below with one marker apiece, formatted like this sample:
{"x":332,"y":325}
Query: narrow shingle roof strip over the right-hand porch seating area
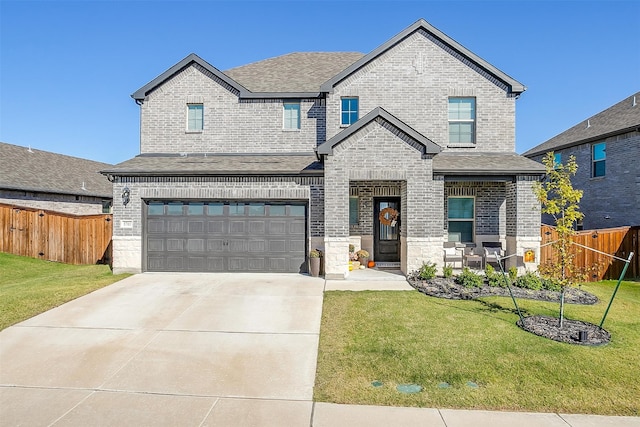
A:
{"x":485,"y":164}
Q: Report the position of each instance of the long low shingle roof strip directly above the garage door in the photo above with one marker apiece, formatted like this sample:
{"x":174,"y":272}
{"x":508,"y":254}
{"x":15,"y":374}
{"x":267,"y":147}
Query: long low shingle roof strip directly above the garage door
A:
{"x":218,"y":164}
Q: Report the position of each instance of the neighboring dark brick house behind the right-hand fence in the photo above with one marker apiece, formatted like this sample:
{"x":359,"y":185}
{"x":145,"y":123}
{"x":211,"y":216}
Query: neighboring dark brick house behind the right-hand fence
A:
{"x":607,"y":151}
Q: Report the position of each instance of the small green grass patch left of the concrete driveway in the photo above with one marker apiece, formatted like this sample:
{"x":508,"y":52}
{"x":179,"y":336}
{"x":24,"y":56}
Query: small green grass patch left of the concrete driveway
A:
{"x":31,"y":286}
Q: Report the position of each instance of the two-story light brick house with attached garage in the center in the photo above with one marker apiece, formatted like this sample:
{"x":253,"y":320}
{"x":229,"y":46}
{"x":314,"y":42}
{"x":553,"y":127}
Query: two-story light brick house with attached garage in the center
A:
{"x":395,"y":151}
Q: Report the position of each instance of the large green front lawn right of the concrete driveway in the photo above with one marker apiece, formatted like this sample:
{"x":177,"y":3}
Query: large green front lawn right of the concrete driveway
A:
{"x":407,"y":337}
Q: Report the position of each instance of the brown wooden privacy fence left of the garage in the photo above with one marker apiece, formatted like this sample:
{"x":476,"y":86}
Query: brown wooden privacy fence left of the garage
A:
{"x":55,"y":236}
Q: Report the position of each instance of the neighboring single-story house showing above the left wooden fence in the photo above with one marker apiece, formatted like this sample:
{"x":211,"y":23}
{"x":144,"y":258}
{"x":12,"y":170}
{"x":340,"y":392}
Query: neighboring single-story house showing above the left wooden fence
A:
{"x":43,"y":180}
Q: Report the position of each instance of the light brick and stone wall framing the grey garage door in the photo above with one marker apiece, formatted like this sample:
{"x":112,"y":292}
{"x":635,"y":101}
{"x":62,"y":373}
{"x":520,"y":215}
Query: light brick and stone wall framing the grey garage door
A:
{"x":128,"y":227}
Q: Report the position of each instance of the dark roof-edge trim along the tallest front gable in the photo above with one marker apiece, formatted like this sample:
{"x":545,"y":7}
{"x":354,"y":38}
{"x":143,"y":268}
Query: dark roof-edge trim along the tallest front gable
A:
{"x":446,"y":44}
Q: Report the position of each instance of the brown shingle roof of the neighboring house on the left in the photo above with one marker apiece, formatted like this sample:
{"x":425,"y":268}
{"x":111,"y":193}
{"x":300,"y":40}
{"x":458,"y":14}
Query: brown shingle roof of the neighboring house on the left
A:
{"x":43,"y":171}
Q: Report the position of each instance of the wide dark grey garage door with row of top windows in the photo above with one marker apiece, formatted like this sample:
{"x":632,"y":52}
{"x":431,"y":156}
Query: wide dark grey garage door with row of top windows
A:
{"x":225,"y":236}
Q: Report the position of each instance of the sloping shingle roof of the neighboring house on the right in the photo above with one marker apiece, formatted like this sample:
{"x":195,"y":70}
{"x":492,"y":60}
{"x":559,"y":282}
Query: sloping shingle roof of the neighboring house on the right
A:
{"x":622,"y":117}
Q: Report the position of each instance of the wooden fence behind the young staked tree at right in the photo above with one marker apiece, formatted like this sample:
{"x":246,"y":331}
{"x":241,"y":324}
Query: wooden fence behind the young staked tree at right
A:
{"x":619,"y":241}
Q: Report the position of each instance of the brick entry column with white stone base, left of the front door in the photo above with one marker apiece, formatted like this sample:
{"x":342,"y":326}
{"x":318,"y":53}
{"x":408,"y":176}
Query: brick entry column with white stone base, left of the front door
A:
{"x":336,"y":220}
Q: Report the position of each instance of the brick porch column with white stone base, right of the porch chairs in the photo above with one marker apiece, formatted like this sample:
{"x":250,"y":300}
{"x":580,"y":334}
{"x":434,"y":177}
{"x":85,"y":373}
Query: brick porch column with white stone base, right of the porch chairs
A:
{"x":523,"y":224}
